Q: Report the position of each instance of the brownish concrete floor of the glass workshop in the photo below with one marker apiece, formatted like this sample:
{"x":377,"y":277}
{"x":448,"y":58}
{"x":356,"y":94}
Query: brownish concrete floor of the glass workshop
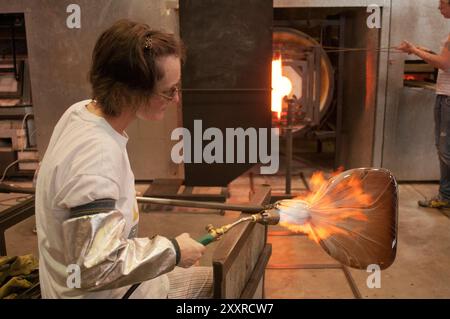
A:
{"x":421,"y":269}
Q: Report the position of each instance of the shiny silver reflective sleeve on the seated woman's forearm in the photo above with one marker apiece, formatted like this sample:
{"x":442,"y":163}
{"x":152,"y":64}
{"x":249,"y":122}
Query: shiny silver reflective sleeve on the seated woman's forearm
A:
{"x":107,"y":259}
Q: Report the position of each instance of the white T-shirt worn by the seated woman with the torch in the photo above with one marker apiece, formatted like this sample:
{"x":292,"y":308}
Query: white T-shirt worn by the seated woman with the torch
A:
{"x":86,"y":160}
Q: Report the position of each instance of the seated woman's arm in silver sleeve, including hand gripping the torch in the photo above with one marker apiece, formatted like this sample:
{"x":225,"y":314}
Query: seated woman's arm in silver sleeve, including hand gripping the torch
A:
{"x":95,"y":240}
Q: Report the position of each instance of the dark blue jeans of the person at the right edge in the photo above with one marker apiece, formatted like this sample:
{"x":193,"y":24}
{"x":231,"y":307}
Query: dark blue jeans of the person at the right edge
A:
{"x":442,"y":140}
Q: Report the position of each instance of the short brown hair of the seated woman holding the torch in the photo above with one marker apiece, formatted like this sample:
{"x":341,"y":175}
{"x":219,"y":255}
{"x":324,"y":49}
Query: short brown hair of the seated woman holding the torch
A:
{"x":123,"y":71}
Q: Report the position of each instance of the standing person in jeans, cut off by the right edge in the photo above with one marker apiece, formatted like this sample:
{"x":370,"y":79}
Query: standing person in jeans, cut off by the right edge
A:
{"x":441,"y":111}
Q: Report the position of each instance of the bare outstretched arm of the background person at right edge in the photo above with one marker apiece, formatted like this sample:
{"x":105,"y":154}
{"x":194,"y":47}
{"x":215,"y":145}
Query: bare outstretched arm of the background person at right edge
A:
{"x":439,"y":61}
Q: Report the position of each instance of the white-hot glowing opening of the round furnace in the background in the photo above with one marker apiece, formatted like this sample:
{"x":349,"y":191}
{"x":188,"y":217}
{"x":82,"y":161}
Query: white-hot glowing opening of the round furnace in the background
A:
{"x":281,"y":86}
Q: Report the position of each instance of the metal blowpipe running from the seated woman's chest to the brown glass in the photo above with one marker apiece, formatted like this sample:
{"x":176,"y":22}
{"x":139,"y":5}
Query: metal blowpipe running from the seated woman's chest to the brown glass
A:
{"x":198,"y":204}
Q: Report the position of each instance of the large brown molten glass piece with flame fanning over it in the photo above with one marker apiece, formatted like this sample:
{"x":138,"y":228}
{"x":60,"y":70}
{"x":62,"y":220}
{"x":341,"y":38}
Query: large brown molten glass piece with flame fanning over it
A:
{"x":353,"y":216}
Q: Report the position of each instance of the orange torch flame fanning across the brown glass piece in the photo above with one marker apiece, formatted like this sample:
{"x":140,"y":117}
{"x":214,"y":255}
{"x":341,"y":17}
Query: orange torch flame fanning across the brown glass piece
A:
{"x":333,"y":207}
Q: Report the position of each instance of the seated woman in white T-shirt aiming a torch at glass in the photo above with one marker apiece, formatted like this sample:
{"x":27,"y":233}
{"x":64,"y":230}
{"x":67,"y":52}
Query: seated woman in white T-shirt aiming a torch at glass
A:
{"x":86,"y":210}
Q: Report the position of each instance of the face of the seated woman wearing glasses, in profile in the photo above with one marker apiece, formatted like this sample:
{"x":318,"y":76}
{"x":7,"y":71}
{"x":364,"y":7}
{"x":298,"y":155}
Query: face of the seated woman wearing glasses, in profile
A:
{"x":166,"y":89}
